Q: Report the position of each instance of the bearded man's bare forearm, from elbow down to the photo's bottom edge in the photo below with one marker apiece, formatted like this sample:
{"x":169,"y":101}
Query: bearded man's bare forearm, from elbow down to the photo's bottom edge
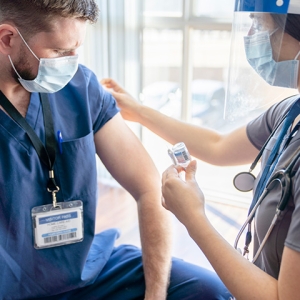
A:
{"x":156,"y":236}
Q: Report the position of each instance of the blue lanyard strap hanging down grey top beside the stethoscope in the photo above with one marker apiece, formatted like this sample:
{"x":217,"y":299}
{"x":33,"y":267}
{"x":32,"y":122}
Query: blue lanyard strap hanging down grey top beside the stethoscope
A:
{"x":271,"y":162}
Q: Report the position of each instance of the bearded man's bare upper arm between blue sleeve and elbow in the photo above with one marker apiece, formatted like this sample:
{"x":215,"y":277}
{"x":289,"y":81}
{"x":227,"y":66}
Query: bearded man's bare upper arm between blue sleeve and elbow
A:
{"x":125,"y":157}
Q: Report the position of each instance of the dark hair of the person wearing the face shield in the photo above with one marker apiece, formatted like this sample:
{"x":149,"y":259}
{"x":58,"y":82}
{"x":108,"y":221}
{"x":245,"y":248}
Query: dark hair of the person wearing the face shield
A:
{"x":289,"y":23}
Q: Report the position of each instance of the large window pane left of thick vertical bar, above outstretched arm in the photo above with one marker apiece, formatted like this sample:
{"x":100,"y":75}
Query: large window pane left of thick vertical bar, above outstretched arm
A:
{"x":162,"y":56}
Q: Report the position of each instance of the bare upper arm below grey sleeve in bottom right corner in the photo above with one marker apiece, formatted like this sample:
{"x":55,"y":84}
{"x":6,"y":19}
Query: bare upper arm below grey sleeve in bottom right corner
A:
{"x":288,"y":281}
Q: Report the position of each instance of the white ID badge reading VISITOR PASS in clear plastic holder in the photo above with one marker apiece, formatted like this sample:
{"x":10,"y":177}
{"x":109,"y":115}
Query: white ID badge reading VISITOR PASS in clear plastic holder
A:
{"x":57,"y":226}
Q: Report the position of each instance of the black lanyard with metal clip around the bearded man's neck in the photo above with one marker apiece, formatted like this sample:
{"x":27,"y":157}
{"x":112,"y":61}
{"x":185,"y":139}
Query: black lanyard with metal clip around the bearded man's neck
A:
{"x":46,"y":153}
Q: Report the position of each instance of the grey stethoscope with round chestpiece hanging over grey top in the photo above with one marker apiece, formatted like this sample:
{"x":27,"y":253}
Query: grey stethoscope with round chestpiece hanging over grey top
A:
{"x":244,"y":181}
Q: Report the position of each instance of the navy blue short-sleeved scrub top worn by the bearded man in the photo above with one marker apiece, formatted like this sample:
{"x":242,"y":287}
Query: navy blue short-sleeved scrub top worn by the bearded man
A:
{"x":79,"y":110}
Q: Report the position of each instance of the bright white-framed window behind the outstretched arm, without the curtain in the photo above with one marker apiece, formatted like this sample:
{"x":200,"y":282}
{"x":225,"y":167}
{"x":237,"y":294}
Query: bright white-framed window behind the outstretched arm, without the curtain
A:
{"x":185,"y":63}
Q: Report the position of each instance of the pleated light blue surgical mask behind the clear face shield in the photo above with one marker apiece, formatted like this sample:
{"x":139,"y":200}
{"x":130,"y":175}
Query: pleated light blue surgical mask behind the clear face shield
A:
{"x":259,"y":55}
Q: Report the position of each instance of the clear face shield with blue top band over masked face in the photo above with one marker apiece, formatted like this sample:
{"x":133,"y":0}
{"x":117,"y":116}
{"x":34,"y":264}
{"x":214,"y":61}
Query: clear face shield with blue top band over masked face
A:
{"x":264,"y":65}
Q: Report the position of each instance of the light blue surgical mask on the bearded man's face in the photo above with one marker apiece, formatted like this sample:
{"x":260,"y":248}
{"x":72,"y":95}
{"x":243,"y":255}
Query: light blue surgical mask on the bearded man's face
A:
{"x":53,"y":73}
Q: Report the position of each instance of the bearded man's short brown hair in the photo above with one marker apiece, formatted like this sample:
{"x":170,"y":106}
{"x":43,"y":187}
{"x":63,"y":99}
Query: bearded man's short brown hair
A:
{"x":33,"y":16}
